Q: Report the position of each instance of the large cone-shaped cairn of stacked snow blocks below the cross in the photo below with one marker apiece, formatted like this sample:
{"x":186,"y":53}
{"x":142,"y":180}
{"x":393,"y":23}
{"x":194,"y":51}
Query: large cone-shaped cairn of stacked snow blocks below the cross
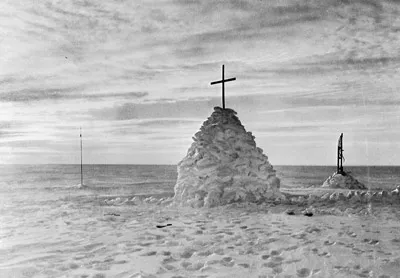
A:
{"x":223,"y":165}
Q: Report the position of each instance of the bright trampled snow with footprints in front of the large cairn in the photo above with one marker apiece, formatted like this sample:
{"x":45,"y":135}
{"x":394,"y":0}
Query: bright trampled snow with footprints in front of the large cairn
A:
{"x":119,"y":237}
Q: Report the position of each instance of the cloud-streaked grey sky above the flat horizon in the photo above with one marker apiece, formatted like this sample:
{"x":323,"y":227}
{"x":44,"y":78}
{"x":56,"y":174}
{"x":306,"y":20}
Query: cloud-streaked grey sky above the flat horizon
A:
{"x":135,"y":75}
